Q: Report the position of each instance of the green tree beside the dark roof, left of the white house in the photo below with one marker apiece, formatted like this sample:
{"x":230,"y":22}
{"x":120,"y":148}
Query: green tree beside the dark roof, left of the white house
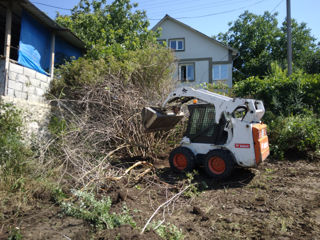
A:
{"x":107,"y":29}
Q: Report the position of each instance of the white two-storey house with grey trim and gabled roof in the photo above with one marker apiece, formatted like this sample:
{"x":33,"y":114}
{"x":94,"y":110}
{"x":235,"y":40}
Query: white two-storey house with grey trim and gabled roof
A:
{"x":200,"y":59}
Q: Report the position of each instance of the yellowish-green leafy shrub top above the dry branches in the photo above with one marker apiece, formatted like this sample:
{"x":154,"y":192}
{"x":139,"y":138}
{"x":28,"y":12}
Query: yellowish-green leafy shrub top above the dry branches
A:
{"x":150,"y":67}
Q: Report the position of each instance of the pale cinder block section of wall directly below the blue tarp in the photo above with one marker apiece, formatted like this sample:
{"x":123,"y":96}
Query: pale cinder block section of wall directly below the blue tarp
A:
{"x":27,"y":84}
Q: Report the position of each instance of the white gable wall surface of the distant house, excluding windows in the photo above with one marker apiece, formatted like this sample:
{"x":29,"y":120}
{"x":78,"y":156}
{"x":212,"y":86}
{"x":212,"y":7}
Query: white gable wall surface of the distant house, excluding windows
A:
{"x":199,"y":50}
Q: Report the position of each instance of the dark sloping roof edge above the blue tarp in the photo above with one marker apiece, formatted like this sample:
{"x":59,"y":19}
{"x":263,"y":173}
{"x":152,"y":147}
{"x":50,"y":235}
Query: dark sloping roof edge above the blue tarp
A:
{"x":43,"y":18}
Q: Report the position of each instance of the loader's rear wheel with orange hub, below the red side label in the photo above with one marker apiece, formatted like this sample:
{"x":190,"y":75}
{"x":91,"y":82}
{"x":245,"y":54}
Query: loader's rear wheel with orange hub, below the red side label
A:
{"x":219,"y":164}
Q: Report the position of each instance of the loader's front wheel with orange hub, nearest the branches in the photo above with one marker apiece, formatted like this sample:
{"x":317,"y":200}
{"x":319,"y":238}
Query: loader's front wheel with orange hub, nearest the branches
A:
{"x":182,"y":159}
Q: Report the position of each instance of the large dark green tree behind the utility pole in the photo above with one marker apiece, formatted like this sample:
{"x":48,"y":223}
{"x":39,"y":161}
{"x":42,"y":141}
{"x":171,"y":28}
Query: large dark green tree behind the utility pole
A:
{"x":260,"y":42}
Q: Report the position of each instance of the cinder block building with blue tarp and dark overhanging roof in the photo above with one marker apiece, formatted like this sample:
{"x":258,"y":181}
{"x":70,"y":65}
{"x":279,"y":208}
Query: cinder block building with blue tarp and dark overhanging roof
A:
{"x":31,"y":45}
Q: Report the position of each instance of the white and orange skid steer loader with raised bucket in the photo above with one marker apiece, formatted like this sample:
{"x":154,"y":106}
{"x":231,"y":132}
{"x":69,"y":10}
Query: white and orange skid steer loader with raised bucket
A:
{"x":222,"y":132}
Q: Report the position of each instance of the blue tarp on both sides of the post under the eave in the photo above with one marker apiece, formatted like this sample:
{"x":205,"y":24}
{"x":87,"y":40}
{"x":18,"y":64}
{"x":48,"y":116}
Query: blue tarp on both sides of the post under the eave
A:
{"x":35,"y":43}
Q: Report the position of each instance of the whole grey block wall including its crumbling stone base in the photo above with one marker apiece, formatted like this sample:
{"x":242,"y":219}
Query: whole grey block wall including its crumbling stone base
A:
{"x":26,"y":89}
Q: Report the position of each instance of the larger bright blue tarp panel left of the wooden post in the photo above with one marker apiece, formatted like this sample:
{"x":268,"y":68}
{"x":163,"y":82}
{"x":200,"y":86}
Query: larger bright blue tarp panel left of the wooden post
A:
{"x":34,"y":45}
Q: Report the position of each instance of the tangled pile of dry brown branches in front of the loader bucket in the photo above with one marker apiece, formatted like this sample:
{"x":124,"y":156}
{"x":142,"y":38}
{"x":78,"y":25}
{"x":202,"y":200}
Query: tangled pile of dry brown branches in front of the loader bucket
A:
{"x":103,"y":123}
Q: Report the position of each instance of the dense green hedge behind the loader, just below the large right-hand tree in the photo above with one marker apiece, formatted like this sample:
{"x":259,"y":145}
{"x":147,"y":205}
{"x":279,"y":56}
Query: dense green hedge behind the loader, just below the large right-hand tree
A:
{"x":282,"y":94}
